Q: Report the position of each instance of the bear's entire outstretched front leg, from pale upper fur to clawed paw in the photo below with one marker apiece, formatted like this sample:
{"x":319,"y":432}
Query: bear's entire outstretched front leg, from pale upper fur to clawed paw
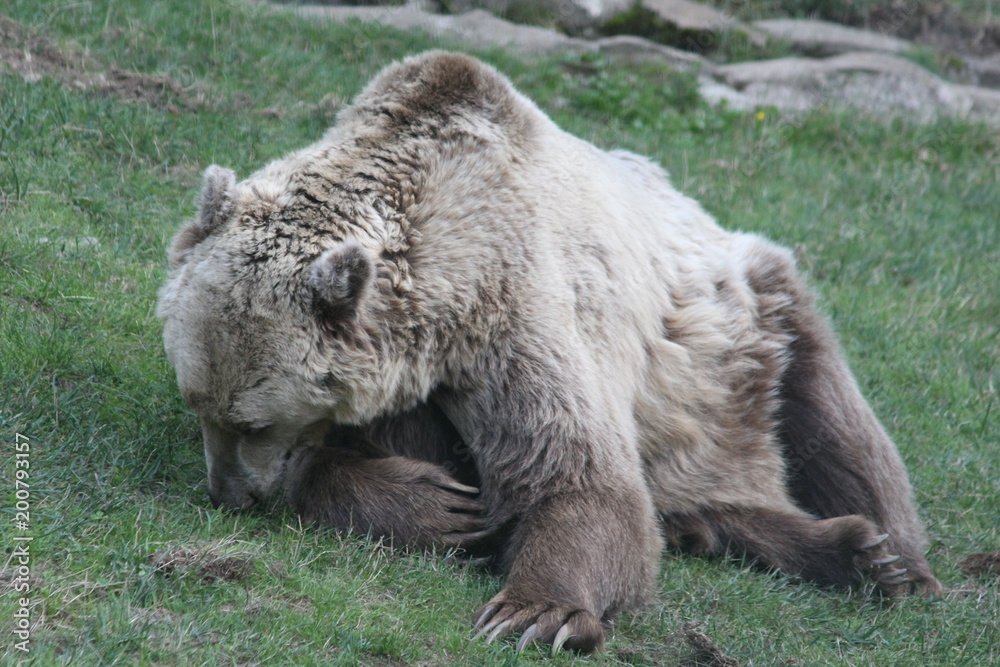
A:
{"x":564,"y":483}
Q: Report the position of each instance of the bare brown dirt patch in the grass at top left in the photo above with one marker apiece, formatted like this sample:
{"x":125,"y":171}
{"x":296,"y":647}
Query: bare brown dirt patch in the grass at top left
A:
{"x":34,"y":56}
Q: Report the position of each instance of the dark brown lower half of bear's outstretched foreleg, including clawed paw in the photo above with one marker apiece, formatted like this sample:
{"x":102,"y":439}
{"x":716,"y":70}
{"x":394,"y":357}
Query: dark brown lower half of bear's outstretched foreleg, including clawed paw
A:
{"x":574,"y":560}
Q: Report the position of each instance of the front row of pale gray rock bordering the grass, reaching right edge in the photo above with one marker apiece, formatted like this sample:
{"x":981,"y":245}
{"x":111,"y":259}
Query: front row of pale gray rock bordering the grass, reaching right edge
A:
{"x":877,"y":82}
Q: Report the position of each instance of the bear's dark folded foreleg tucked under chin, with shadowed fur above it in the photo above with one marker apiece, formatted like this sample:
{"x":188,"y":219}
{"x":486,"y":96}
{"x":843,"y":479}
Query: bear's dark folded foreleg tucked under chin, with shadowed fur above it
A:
{"x":407,"y":479}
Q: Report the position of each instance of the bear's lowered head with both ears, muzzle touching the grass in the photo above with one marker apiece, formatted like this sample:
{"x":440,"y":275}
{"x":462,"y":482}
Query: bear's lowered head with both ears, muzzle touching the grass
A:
{"x":263,"y":329}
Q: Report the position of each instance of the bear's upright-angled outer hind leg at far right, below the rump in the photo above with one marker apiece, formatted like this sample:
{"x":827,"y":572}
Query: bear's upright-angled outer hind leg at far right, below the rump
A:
{"x":840,"y":461}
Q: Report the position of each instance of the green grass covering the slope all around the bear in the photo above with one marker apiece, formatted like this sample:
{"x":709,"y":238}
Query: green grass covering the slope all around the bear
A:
{"x":895,"y":222}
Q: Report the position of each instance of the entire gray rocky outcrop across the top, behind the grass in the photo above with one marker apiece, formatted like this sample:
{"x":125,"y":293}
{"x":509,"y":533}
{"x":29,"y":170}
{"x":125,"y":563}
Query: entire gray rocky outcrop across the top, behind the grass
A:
{"x":860,"y":69}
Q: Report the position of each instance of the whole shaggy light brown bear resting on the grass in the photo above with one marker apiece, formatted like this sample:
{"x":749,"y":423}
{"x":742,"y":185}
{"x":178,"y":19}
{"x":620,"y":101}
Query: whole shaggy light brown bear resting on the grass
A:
{"x":448,"y":279}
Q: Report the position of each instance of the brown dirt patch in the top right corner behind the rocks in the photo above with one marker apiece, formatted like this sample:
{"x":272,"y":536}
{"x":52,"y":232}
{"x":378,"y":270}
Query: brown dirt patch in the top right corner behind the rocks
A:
{"x":935,"y":24}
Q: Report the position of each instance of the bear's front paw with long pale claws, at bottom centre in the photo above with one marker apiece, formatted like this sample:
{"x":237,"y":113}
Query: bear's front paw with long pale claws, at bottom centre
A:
{"x":562,"y":626}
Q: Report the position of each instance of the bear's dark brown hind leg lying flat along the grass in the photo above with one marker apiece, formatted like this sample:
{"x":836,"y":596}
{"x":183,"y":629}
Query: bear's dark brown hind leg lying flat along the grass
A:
{"x":836,"y":551}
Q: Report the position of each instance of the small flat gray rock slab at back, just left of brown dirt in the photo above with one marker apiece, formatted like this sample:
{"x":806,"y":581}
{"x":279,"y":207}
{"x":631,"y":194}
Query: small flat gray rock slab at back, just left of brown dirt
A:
{"x":821,"y":38}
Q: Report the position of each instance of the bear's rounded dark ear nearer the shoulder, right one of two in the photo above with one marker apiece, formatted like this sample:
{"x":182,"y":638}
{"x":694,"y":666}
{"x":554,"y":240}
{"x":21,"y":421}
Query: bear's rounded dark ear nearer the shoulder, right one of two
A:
{"x":340,"y":277}
